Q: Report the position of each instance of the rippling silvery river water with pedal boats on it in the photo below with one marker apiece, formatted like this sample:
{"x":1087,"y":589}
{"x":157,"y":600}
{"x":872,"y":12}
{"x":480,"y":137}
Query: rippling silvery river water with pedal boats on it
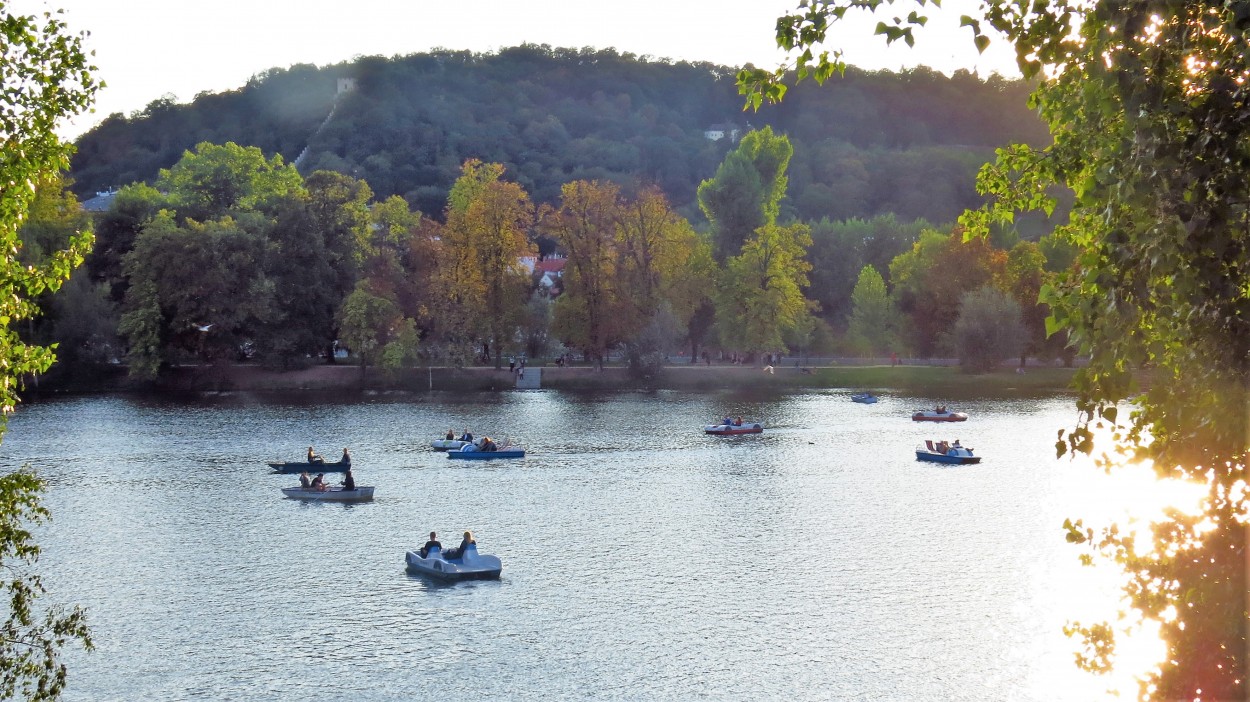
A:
{"x":643,"y":560}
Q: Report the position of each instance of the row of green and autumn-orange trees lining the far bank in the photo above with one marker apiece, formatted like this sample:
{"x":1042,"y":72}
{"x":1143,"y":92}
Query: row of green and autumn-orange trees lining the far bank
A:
{"x":236,"y":257}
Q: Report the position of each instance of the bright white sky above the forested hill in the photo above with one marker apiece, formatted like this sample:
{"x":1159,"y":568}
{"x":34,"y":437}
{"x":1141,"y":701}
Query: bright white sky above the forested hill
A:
{"x":147,"y":49}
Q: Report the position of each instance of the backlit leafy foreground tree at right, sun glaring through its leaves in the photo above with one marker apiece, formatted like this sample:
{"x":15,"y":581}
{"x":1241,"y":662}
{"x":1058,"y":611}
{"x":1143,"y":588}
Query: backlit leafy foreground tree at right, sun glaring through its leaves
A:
{"x":1148,"y":111}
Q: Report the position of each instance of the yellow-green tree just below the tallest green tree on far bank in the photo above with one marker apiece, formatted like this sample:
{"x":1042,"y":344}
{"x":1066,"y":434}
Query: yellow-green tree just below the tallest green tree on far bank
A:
{"x":762,"y":290}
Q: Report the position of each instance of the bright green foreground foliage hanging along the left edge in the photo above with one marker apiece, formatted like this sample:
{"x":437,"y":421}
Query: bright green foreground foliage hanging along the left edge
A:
{"x":47,"y":78}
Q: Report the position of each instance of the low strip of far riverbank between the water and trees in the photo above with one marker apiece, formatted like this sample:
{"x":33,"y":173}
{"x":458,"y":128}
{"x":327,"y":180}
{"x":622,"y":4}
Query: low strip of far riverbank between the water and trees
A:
{"x":938,"y":379}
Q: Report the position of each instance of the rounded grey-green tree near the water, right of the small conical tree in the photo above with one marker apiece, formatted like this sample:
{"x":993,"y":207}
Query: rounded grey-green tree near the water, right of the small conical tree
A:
{"x":989,"y":329}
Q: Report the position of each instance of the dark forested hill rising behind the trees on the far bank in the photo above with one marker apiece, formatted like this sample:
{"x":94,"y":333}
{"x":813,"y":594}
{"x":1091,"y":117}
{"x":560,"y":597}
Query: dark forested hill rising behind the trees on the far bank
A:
{"x":866,"y":143}
